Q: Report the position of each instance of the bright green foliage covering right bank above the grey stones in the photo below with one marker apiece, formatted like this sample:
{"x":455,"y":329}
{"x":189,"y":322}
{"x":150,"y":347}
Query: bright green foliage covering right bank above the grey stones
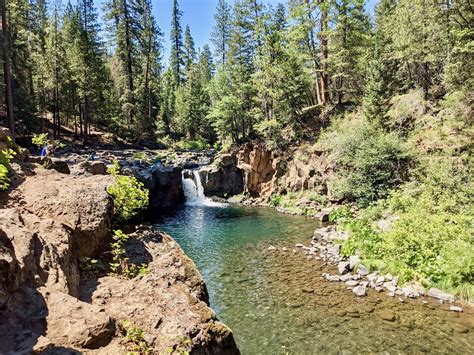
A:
{"x":432,"y":239}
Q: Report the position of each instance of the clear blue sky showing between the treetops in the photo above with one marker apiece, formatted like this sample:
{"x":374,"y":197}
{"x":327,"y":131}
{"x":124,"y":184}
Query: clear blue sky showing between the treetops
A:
{"x":199,"y":15}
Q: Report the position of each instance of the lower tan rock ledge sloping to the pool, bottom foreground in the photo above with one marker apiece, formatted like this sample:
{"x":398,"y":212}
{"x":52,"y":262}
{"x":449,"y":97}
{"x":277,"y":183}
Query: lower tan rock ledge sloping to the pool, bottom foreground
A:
{"x":170,"y":301}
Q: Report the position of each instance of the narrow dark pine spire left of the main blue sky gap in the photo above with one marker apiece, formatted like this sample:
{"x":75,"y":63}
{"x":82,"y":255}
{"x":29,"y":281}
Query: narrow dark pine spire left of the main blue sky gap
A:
{"x":176,"y":38}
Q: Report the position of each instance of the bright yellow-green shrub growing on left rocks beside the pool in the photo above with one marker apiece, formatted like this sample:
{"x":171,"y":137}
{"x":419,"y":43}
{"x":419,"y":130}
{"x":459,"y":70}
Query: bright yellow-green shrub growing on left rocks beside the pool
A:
{"x":129,"y":195}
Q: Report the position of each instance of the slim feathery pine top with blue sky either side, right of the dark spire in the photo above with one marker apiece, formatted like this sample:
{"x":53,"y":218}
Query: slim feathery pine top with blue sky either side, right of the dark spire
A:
{"x":222,"y":30}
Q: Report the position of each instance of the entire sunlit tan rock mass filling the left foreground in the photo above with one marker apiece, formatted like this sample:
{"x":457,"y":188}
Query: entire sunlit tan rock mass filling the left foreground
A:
{"x":49,"y":221}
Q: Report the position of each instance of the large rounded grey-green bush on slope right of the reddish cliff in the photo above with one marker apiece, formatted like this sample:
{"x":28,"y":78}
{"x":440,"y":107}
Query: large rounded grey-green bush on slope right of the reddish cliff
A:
{"x":368,"y":161}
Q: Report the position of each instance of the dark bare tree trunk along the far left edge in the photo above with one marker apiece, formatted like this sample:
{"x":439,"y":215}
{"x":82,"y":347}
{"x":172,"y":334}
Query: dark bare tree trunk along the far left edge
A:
{"x":6,"y":70}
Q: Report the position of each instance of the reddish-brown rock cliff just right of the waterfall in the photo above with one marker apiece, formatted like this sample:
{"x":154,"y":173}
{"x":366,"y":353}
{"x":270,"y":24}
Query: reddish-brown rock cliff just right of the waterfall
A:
{"x":260,"y":171}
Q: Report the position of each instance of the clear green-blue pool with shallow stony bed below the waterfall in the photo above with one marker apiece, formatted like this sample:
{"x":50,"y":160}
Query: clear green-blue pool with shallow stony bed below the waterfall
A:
{"x":276,"y":302}
